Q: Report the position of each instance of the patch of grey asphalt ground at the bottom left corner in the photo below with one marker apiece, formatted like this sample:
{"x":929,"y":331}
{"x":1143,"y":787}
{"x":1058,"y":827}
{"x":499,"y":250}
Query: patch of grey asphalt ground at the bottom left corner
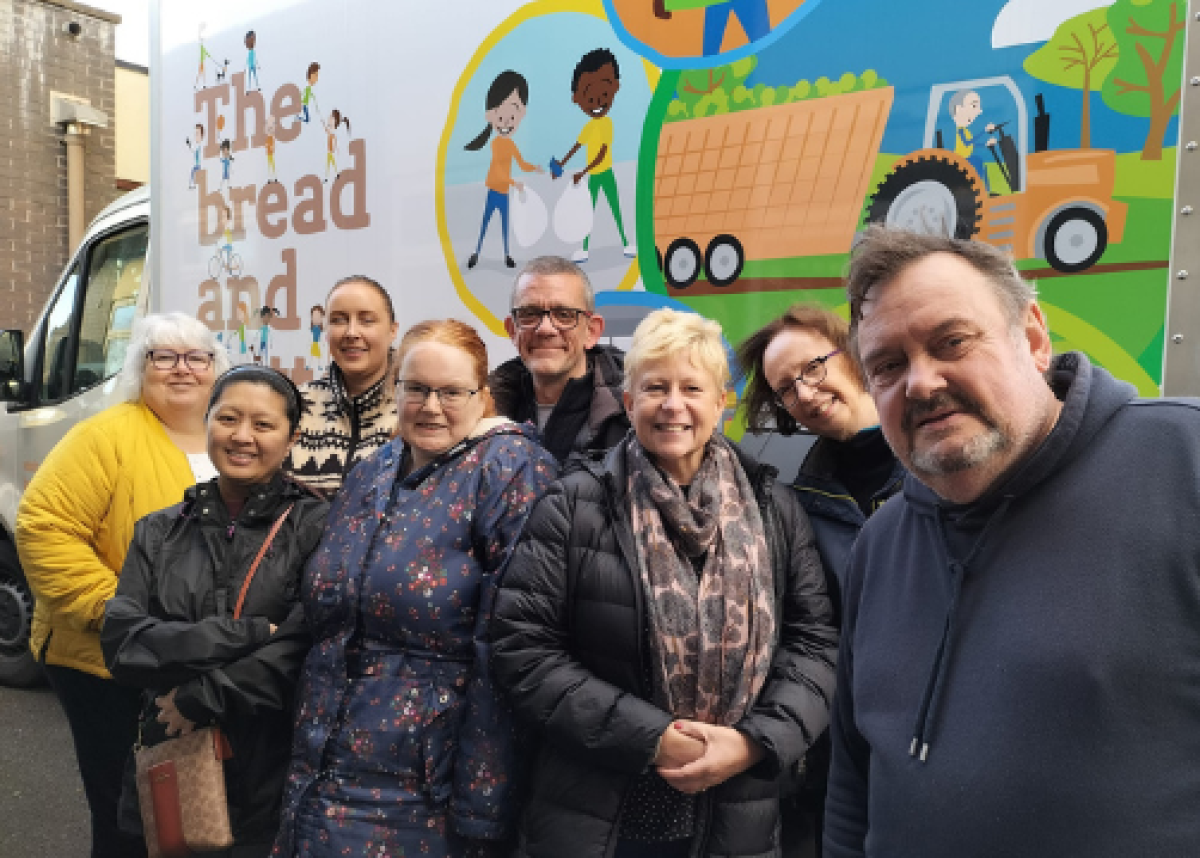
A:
{"x":44,"y":813}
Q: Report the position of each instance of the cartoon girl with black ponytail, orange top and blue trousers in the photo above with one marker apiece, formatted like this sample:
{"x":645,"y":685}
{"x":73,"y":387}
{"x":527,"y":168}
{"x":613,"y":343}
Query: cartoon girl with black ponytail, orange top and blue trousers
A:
{"x":505,"y":110}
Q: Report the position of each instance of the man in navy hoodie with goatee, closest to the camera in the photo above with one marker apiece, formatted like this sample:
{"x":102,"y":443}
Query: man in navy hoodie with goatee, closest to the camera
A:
{"x":1021,"y":659}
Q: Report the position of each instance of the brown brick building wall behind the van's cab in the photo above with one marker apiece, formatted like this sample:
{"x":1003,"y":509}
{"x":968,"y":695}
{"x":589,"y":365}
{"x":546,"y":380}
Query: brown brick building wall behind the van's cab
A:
{"x":37,"y":58}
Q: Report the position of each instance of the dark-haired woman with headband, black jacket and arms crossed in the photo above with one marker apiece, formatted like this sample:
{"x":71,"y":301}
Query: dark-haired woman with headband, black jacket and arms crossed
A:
{"x":207,"y":619}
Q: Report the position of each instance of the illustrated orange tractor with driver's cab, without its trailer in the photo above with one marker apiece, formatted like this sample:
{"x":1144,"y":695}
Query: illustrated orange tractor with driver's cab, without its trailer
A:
{"x":1060,"y":207}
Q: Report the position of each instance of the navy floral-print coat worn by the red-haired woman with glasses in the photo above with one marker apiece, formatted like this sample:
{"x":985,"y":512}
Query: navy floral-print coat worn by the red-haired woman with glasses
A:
{"x":403,"y":746}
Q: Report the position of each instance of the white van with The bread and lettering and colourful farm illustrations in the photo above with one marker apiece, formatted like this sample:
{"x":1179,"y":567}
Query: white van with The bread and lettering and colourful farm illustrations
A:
{"x":296,"y":142}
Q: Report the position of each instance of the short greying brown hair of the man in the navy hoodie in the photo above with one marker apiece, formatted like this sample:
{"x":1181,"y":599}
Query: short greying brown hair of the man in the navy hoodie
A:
{"x":885,"y":253}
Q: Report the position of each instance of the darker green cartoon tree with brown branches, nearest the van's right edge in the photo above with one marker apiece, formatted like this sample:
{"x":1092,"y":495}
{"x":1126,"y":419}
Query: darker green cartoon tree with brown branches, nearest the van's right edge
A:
{"x":1148,"y":76}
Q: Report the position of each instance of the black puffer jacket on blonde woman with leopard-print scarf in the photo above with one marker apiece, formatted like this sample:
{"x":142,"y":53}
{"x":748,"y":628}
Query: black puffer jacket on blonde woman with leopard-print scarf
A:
{"x":571,"y":646}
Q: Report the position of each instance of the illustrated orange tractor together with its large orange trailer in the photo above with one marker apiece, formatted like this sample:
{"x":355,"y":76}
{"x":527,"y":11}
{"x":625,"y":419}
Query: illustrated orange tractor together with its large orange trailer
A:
{"x":791,"y":181}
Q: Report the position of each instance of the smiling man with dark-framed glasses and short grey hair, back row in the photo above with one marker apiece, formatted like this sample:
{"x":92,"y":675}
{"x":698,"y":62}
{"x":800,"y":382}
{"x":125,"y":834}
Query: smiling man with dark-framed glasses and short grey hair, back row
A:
{"x":562,"y":381}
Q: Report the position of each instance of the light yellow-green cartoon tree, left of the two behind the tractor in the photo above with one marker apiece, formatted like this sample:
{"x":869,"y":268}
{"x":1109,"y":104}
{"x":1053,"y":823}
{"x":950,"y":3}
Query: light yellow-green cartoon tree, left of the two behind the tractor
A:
{"x":1081,"y":56}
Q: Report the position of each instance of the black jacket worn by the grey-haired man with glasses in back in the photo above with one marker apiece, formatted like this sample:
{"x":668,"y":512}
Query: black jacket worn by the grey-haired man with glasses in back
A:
{"x":589,"y":419}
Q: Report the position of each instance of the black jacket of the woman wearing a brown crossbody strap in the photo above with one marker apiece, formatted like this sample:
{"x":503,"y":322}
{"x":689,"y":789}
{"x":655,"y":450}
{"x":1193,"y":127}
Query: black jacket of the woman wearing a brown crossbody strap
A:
{"x":165,"y":629}
